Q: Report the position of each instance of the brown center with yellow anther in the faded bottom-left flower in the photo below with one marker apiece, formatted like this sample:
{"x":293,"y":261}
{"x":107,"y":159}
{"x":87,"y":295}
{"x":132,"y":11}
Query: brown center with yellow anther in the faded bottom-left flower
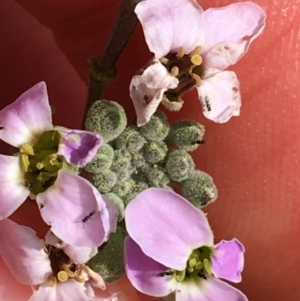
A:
{"x":62,"y":266}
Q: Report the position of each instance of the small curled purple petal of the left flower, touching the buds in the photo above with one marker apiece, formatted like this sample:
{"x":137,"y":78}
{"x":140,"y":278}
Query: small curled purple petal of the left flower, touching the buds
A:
{"x":79,"y":147}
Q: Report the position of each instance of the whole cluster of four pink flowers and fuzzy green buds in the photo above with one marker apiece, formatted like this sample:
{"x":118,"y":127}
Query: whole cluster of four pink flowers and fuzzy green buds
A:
{"x":107,"y":193}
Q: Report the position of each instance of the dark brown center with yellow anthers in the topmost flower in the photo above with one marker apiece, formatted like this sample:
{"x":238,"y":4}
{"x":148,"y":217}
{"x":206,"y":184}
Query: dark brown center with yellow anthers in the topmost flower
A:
{"x":186,"y":68}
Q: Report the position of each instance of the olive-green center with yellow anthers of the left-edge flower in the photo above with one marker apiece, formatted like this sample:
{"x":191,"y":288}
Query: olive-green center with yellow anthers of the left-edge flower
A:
{"x":40,"y":162}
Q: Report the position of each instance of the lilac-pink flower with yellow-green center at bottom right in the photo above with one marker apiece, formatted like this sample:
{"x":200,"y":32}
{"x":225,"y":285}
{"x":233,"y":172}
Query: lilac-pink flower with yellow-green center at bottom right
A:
{"x":170,"y":249}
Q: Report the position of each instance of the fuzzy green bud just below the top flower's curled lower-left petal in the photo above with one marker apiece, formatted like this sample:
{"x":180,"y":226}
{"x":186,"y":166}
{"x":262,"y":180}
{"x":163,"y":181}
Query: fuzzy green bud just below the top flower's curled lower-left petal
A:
{"x":157,"y":128}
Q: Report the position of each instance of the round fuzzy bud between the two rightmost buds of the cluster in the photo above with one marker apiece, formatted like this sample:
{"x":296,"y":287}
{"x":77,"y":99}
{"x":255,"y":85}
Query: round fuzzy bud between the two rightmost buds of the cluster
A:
{"x":179,"y":165}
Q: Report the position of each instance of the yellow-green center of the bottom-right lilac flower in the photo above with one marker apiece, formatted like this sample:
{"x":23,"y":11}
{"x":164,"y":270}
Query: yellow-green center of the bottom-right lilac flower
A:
{"x":198,"y":265}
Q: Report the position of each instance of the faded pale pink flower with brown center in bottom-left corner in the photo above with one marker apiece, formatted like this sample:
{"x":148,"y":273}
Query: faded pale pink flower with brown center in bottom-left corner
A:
{"x":34,"y":262}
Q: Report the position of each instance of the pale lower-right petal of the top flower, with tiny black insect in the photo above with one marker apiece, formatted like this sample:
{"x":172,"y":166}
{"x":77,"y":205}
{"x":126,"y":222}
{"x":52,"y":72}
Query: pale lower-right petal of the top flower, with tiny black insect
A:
{"x":220,"y":96}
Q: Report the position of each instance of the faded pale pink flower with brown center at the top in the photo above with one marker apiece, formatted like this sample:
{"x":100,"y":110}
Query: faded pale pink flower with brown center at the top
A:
{"x":195,"y":46}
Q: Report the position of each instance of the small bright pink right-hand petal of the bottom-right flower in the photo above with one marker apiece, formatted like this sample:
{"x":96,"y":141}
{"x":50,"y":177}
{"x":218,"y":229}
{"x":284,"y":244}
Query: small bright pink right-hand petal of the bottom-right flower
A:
{"x":228,"y":260}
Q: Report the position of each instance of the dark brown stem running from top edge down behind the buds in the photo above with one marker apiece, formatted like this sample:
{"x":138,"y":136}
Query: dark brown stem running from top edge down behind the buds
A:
{"x":102,"y":69}
